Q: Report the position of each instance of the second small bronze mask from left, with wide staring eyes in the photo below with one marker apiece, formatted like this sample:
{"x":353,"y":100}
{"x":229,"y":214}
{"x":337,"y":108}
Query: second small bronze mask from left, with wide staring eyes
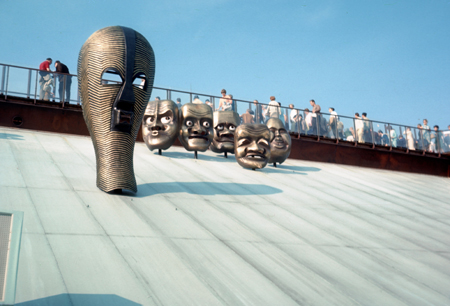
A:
{"x":196,"y":130}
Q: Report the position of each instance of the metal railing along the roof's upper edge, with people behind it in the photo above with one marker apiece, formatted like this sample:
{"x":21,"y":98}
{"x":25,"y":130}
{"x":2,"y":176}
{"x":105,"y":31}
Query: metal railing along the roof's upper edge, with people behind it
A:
{"x":38,"y":85}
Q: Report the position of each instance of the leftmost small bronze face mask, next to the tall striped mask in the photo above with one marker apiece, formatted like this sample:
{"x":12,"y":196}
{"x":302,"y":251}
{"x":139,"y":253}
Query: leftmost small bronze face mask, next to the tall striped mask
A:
{"x":160,"y":125}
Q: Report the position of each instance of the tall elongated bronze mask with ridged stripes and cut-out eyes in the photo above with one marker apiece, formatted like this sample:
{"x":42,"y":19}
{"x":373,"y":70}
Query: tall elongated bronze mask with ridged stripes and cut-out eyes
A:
{"x":113,"y":110}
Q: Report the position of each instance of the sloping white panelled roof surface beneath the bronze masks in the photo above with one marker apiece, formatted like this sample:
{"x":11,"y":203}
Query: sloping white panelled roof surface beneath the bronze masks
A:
{"x":208,"y":232}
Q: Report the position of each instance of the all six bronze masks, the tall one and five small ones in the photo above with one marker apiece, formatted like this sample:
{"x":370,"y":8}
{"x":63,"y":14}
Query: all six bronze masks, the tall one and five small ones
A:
{"x":114,"y":111}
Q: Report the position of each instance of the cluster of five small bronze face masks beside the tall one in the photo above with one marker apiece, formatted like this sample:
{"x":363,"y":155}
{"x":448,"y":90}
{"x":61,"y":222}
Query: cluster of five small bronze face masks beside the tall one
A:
{"x":198,"y":128}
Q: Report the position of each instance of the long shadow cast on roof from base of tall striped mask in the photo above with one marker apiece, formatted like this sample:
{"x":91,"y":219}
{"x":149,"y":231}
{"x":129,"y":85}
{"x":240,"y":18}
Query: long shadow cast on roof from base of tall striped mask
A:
{"x":206,"y":188}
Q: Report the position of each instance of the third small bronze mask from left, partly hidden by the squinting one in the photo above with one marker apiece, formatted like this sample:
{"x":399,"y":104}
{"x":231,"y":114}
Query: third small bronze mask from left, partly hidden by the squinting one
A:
{"x":225,"y":124}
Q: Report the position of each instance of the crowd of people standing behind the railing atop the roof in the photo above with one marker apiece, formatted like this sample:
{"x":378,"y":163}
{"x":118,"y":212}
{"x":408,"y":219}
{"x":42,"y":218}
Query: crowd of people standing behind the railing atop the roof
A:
{"x":306,"y":122}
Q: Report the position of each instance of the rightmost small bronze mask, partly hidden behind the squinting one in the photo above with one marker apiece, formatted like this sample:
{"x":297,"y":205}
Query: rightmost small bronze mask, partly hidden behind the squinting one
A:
{"x":280,"y":141}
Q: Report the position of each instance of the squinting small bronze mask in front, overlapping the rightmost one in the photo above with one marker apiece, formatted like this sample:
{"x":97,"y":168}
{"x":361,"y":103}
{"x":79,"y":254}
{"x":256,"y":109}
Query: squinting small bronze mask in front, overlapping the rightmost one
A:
{"x":252,"y":145}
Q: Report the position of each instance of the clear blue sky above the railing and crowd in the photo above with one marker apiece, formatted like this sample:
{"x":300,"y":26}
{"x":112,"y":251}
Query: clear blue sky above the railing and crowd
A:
{"x":389,"y":58}
